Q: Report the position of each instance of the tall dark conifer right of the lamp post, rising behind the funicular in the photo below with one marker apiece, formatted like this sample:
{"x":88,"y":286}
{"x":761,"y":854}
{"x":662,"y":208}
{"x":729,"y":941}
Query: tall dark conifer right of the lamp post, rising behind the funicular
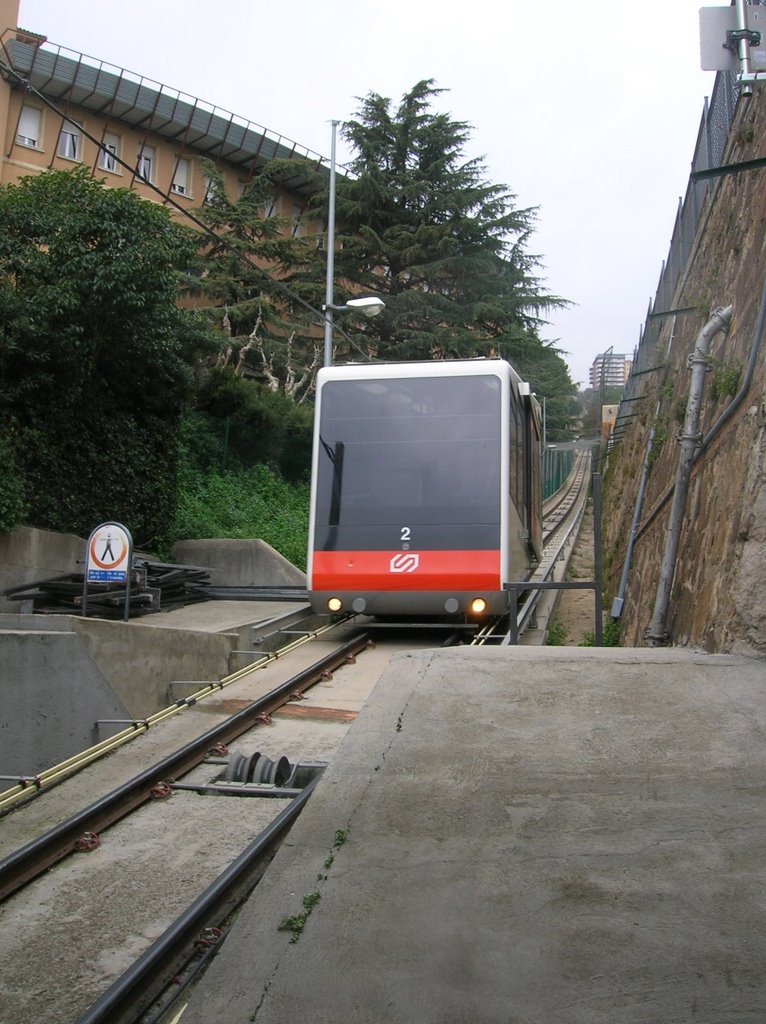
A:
{"x":421,"y":227}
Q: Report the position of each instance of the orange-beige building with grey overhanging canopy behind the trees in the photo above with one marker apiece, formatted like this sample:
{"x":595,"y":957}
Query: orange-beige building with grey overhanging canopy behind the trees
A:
{"x":130,"y":132}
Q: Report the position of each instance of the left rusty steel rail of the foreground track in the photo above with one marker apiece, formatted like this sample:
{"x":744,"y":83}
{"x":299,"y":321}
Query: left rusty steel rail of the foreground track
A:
{"x":31,"y":861}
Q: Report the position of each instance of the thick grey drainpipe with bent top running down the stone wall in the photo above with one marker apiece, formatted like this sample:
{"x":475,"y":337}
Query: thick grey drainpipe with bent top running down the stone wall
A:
{"x":657,"y":633}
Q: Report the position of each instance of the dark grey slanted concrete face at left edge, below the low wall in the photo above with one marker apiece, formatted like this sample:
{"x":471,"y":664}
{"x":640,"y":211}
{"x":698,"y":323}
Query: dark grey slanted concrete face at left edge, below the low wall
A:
{"x":52,"y":696}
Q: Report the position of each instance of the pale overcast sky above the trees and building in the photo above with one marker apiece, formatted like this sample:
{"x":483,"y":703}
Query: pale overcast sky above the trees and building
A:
{"x":587,"y":112}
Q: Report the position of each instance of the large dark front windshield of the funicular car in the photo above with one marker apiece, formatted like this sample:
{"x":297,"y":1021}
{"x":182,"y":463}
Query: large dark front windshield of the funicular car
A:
{"x":416,"y":451}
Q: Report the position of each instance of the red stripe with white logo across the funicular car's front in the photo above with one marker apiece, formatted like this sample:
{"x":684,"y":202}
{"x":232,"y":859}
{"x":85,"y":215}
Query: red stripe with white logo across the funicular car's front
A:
{"x":382,"y":571}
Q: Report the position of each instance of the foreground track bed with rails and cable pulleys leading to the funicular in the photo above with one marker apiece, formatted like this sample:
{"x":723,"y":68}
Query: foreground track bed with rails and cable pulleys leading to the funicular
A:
{"x":146,"y":878}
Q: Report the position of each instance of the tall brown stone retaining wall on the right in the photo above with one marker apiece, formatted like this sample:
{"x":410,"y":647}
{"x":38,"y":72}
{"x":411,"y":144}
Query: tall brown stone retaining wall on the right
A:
{"x":718,"y":599}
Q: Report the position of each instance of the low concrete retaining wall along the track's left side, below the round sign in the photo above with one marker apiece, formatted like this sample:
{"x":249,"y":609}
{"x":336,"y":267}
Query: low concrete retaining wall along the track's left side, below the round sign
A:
{"x":61,"y":674}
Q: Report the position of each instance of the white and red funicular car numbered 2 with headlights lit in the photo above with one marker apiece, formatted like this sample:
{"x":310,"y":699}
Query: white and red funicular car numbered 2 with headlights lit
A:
{"x":425,"y":489}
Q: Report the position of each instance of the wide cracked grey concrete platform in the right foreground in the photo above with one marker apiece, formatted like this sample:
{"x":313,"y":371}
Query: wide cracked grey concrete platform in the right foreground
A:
{"x":526,"y":836}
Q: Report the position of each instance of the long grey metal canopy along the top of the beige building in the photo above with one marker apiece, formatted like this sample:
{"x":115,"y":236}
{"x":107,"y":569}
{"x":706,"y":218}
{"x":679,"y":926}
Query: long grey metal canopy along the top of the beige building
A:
{"x":67,"y":77}
